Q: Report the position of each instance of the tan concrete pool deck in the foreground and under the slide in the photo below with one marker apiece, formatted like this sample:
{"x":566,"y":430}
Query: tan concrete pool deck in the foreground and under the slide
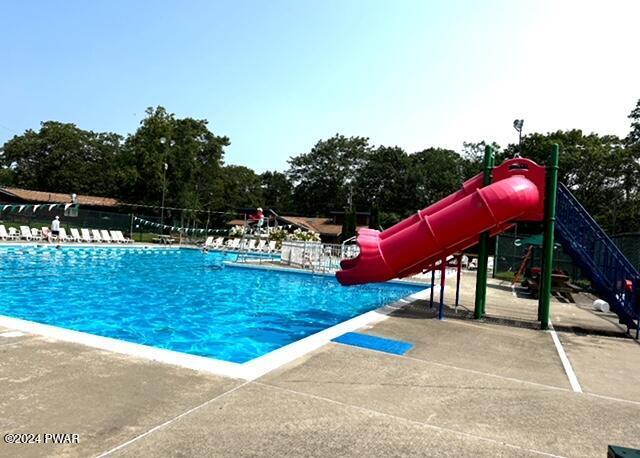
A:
{"x":467,"y":388}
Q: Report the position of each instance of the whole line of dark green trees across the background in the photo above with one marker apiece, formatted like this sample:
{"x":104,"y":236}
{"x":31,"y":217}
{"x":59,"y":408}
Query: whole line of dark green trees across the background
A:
{"x":337,"y":173}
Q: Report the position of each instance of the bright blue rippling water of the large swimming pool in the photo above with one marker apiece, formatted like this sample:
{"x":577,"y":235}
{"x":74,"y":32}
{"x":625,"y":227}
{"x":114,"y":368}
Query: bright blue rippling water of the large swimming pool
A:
{"x":178,"y":299}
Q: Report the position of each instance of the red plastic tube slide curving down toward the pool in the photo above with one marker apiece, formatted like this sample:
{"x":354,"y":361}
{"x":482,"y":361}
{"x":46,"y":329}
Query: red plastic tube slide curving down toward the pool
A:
{"x":450,"y":225}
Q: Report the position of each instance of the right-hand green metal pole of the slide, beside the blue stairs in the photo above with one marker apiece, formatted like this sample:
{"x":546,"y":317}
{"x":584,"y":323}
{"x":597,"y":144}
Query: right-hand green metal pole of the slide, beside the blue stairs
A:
{"x":544,"y":301}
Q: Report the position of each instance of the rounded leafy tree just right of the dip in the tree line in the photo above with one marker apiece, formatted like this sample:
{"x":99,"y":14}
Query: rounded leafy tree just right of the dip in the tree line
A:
{"x":324,"y":177}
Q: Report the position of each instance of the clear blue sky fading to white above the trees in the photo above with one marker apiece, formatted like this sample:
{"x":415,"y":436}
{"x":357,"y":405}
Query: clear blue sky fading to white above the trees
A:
{"x":276,"y":76}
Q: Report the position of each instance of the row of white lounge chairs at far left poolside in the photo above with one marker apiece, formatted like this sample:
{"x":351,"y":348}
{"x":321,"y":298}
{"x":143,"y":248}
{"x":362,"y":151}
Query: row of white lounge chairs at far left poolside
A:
{"x":84,"y":235}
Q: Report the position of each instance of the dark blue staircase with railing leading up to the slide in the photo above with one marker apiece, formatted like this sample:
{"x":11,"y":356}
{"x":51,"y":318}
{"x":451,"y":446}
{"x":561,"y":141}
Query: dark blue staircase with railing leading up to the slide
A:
{"x":611,"y":273}
